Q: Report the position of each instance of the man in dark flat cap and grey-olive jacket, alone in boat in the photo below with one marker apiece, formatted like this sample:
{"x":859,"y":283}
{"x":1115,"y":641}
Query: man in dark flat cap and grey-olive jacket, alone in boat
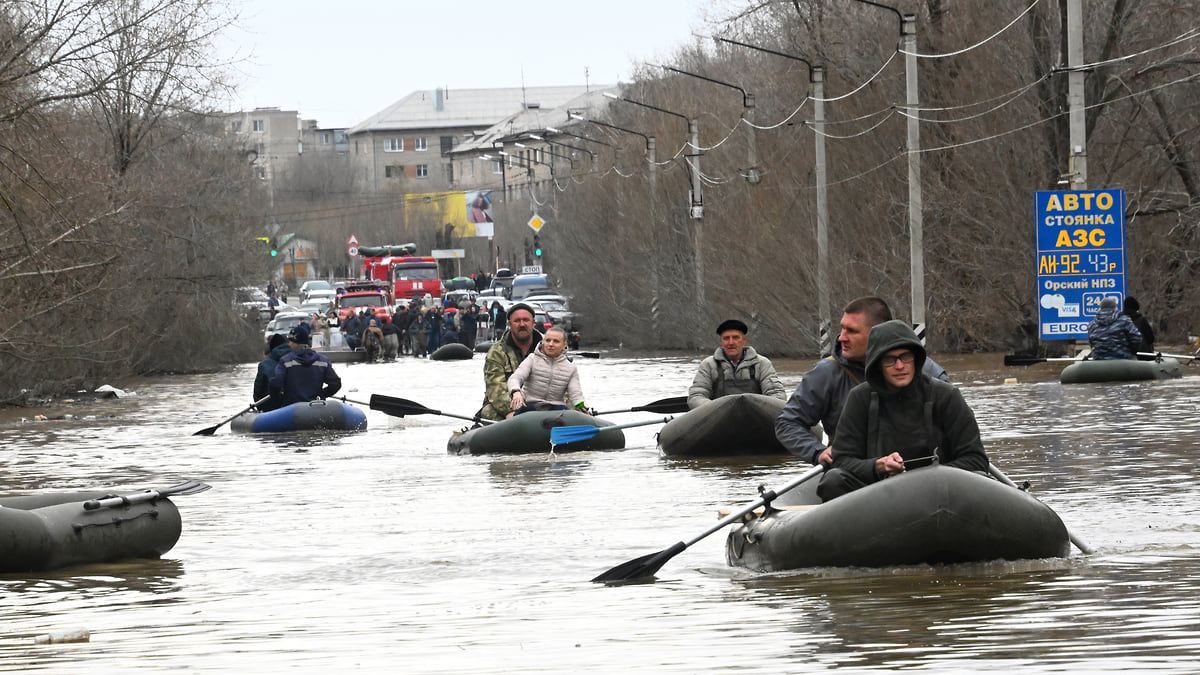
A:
{"x":735,"y":368}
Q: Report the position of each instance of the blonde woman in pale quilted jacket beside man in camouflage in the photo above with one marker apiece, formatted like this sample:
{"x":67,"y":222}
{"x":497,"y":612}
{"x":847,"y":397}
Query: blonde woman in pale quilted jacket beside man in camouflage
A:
{"x":547,"y":380}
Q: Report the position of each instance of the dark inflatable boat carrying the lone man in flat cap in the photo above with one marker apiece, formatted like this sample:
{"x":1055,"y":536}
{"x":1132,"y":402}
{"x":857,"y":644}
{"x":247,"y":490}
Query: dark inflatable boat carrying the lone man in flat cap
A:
{"x":740,"y":425}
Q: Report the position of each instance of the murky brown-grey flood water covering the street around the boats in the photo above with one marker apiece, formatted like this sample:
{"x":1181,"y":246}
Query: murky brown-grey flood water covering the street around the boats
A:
{"x":381,"y":552}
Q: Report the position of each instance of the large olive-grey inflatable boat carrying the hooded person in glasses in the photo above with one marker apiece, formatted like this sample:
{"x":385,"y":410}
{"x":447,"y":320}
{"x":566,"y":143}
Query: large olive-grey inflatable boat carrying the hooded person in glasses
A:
{"x":928,"y":516}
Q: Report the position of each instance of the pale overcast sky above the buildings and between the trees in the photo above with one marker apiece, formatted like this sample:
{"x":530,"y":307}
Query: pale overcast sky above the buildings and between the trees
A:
{"x":340,"y":63}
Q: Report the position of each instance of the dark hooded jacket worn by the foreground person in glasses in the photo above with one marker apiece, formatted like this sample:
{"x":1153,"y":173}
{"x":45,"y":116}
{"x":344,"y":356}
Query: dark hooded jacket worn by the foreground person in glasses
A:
{"x":927,"y":417}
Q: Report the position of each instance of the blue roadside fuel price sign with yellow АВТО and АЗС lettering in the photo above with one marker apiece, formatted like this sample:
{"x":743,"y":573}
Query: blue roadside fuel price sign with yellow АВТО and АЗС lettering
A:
{"x":1081,"y":259}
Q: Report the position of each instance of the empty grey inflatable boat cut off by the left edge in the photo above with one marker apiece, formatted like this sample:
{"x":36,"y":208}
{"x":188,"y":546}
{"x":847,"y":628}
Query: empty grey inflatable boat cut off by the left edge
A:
{"x":43,"y":533}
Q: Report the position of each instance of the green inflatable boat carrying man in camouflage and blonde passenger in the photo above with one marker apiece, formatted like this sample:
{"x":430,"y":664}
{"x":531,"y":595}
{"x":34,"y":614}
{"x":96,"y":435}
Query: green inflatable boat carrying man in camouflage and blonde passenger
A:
{"x":530,"y":433}
